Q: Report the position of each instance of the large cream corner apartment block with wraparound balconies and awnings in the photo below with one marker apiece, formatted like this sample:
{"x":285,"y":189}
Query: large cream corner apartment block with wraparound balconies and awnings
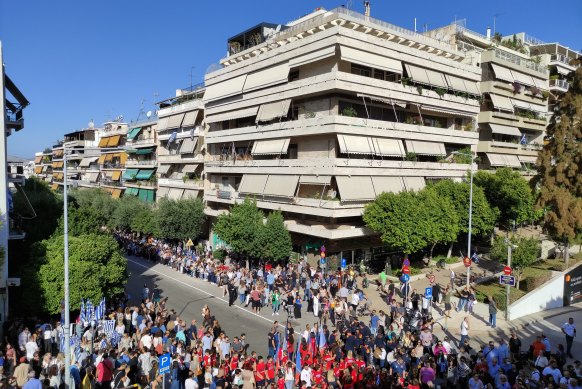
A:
{"x":319,"y":117}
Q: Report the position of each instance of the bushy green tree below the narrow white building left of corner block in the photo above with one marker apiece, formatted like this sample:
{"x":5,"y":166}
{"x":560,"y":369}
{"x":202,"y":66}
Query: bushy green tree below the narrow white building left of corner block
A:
{"x":181,"y":219}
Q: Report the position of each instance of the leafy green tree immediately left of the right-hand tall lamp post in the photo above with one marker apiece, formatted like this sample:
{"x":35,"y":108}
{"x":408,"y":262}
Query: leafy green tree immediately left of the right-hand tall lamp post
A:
{"x":439,"y":219}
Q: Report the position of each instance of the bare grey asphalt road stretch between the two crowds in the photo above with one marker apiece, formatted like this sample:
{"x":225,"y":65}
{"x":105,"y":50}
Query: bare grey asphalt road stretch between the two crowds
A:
{"x":187,"y":296}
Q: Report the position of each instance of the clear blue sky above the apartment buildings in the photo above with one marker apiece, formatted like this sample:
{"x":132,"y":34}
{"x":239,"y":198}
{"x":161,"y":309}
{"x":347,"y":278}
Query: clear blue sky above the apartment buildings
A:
{"x":78,"y":61}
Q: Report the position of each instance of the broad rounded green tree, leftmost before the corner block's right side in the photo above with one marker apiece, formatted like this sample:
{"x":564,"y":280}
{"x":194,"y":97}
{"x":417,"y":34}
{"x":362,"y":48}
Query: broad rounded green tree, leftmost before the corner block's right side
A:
{"x":395,"y":217}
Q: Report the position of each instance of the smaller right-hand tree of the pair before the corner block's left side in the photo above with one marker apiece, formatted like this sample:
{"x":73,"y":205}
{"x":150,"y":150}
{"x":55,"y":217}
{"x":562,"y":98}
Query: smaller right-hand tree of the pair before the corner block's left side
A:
{"x":273,"y":239}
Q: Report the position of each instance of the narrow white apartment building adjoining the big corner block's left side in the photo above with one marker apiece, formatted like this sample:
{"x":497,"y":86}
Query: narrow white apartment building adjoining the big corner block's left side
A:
{"x":180,"y":134}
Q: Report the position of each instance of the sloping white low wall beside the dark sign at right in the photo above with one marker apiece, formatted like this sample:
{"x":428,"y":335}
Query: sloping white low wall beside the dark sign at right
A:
{"x":548,"y":296}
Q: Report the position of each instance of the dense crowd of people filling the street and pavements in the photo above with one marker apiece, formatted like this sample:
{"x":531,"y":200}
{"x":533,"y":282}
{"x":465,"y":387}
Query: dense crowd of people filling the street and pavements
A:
{"x":348,"y":345}
